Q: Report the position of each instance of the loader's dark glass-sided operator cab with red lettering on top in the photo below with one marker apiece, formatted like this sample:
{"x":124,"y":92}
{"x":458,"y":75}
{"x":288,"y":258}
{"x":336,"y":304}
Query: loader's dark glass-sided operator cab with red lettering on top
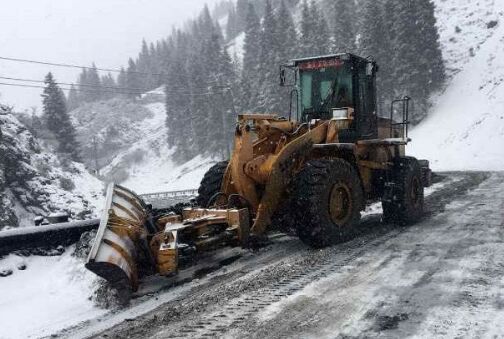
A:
{"x":339,"y":86}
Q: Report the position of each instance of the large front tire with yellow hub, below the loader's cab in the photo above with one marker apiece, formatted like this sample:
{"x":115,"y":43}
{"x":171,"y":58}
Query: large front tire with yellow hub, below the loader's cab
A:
{"x":318,"y":186}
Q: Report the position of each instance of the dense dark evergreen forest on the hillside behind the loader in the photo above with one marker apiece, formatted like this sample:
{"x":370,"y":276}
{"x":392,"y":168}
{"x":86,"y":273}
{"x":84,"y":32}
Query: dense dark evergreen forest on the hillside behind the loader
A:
{"x":206,"y":87}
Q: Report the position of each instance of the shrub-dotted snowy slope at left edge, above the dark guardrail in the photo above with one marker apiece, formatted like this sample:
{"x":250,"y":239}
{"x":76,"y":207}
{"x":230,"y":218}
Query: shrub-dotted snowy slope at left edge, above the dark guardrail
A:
{"x":36,"y":182}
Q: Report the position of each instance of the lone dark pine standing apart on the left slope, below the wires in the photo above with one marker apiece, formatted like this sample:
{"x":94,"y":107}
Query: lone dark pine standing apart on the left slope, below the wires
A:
{"x":57,"y":119}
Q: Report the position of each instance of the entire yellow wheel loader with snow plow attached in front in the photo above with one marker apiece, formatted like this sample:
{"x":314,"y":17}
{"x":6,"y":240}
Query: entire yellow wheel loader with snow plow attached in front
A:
{"x":315,"y":170}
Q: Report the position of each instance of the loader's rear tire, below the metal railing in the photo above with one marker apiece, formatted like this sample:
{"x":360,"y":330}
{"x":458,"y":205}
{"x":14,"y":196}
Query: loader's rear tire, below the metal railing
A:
{"x":404,"y":203}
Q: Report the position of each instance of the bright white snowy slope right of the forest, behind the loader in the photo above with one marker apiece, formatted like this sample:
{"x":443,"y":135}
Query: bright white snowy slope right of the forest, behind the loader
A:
{"x":465,"y":129}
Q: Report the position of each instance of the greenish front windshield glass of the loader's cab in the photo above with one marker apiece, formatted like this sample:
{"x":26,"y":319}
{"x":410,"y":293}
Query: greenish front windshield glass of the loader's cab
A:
{"x":324,"y":89}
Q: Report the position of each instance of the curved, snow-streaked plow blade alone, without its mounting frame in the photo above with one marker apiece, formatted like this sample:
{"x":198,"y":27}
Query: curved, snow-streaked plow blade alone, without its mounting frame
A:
{"x":114,"y":252}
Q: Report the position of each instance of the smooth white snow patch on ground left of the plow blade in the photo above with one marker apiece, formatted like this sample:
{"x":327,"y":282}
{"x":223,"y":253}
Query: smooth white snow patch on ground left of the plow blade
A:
{"x":50,"y":294}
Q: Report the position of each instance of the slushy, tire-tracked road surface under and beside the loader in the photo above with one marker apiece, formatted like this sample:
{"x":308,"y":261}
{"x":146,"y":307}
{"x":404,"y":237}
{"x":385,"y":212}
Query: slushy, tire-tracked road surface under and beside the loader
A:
{"x":443,"y":277}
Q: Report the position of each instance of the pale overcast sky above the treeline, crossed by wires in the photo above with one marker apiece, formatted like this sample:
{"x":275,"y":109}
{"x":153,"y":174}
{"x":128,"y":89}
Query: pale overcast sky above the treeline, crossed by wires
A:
{"x":79,"y":32}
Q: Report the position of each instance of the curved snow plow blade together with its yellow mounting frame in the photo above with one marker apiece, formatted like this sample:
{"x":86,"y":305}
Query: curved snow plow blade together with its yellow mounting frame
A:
{"x":133,"y":240}
